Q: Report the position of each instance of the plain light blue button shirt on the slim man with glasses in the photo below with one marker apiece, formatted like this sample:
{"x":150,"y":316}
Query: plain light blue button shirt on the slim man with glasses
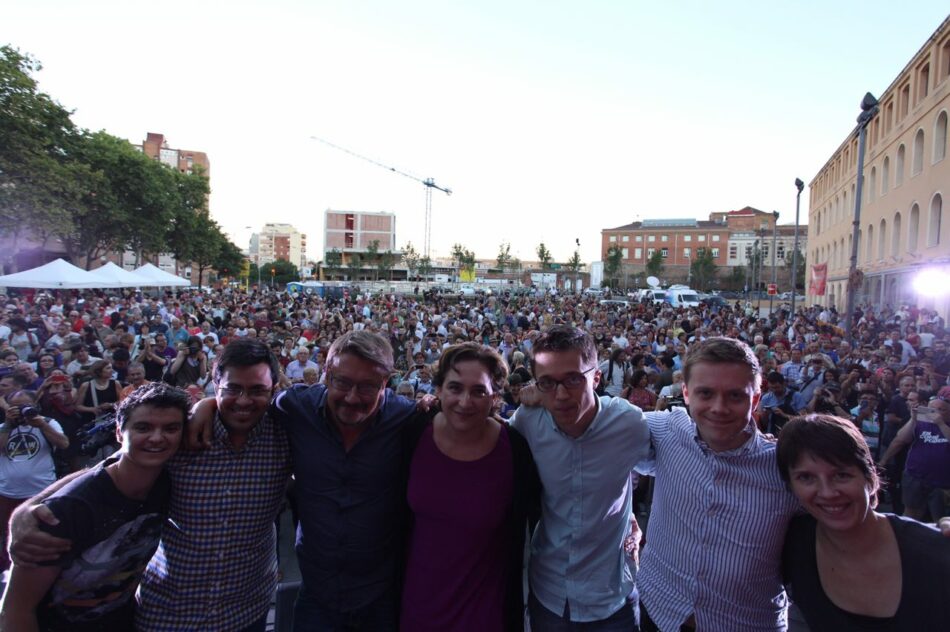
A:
{"x":577,"y":551}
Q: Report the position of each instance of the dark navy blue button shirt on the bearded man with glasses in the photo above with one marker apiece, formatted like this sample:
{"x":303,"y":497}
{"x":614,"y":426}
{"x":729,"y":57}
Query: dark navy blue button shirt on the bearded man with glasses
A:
{"x":350,"y":539}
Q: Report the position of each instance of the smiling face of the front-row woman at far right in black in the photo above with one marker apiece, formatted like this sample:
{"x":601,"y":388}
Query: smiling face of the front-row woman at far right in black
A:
{"x":838,"y":496}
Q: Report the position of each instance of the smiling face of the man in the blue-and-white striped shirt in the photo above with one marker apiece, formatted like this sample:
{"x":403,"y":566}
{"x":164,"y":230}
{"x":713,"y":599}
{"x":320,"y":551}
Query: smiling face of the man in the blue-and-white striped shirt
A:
{"x":721,"y":398}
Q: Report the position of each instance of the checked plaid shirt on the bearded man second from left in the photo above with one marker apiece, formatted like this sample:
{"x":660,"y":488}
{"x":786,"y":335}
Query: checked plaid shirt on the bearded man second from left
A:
{"x":216,"y":567}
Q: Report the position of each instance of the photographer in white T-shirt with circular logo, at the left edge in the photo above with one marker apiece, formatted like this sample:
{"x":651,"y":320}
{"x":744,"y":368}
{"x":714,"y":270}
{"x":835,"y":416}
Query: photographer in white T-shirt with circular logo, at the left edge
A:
{"x":27,"y":440}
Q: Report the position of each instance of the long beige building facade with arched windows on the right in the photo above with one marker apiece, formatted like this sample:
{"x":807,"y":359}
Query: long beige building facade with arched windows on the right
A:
{"x":903,"y":228}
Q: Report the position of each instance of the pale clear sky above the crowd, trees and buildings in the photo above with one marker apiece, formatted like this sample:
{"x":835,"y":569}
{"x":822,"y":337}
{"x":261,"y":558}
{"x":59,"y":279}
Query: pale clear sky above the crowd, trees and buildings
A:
{"x":549,"y":121}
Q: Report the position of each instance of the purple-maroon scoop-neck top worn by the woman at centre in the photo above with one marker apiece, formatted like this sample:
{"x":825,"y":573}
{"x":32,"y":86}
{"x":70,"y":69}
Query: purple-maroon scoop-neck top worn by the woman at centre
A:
{"x":455,"y":576}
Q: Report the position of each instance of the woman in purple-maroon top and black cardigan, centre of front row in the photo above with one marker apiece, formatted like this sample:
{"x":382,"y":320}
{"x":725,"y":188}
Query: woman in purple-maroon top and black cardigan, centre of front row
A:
{"x":471,"y":484}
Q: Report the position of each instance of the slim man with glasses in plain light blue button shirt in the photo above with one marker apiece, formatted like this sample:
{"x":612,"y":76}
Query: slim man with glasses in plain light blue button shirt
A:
{"x":585,"y":448}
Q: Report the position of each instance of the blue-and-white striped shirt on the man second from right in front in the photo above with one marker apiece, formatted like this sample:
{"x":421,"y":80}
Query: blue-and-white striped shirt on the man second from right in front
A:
{"x":714,"y":540}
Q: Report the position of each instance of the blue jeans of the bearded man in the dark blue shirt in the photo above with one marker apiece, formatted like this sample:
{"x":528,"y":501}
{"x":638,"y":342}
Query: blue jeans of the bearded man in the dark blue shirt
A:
{"x":311,"y":615}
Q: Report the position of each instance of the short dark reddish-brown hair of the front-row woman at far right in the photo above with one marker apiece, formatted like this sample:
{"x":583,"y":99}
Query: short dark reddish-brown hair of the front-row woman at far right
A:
{"x":829,"y":438}
